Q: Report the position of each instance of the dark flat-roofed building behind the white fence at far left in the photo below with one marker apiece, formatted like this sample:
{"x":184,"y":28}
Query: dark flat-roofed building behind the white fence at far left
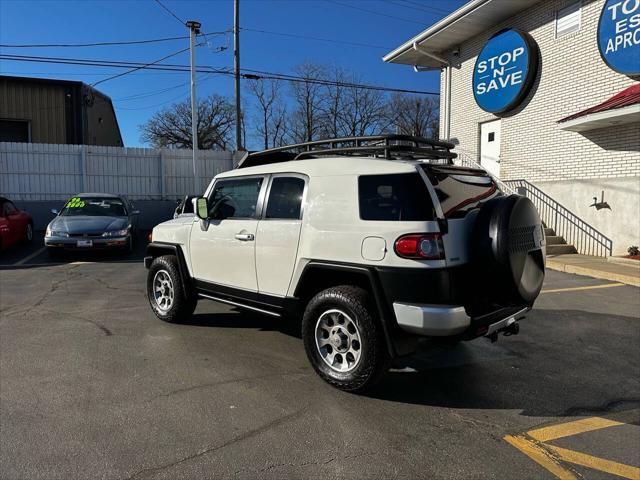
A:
{"x":38,"y":110}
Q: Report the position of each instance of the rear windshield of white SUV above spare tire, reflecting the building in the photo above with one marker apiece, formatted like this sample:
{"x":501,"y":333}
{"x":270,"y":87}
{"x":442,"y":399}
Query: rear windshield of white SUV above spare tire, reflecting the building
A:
{"x":461,"y":191}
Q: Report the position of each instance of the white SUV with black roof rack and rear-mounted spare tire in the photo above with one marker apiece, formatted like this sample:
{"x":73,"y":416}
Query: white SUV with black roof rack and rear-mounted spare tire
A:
{"x":374,"y":242}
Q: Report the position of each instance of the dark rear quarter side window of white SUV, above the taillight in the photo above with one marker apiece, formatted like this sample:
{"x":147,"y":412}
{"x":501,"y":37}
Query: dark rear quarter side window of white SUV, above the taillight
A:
{"x":394,"y":197}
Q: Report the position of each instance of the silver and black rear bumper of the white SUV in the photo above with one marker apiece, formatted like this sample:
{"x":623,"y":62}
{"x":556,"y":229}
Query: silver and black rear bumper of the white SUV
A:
{"x":452,"y":320}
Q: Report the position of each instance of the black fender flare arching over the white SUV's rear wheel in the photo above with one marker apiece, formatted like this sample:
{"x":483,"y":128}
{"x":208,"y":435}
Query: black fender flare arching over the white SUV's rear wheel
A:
{"x":387,"y":318}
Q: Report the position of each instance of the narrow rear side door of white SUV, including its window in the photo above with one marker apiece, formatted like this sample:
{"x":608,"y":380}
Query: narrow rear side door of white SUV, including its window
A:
{"x":279,"y":232}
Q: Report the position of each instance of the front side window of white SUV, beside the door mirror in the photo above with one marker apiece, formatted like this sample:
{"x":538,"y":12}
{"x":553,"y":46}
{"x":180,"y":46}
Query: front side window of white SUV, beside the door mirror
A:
{"x":235,"y":198}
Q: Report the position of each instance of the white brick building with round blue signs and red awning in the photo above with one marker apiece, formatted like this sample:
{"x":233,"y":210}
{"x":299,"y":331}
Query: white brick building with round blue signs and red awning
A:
{"x":544,"y":94}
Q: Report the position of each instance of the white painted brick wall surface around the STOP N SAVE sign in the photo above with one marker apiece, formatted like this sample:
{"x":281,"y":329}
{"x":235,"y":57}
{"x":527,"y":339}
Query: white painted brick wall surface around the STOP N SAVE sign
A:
{"x":572,"y":77}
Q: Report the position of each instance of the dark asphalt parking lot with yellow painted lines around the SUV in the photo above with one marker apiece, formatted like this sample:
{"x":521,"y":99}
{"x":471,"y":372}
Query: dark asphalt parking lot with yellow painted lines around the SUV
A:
{"x":92,"y":385}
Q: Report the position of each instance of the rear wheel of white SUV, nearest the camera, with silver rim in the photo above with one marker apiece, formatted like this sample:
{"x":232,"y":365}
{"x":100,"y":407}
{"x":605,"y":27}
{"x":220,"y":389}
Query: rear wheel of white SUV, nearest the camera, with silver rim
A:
{"x":343,"y":339}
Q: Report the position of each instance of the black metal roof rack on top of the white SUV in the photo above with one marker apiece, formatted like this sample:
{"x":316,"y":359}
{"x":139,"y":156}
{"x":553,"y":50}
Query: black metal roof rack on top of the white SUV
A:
{"x":391,"y":147}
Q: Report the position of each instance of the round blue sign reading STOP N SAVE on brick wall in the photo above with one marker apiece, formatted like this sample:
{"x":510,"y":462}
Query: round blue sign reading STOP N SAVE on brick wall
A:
{"x":505,"y":70}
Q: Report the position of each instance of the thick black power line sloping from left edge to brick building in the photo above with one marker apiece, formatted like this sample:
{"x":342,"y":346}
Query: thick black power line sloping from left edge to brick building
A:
{"x":247,"y":73}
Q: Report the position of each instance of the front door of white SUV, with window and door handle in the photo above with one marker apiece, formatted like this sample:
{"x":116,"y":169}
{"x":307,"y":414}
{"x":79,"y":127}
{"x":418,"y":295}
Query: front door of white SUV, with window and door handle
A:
{"x":223,"y":247}
